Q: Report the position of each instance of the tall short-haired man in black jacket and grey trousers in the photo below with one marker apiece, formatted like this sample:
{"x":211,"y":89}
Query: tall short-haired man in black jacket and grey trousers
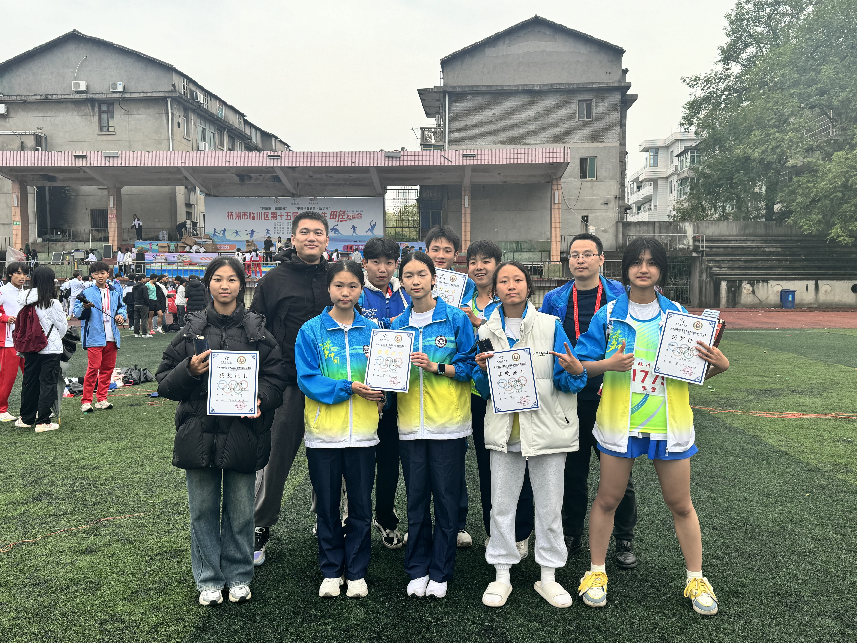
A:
{"x":288,"y":296}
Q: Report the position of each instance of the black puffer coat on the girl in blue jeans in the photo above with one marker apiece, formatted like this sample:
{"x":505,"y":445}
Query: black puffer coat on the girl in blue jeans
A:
{"x":202,"y":440}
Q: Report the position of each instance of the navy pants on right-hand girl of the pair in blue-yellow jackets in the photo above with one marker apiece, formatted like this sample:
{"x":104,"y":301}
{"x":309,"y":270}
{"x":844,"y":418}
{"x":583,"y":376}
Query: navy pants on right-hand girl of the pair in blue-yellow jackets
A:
{"x":432,"y":470}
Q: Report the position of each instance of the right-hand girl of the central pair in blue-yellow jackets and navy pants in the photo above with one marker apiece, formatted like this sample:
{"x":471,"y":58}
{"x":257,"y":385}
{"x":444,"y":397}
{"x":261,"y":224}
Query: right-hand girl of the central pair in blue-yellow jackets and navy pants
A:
{"x":434,"y":422}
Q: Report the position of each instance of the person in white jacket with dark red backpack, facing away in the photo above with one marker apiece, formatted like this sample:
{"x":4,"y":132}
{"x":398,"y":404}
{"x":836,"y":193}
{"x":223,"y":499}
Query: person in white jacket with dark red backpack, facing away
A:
{"x":42,"y":369}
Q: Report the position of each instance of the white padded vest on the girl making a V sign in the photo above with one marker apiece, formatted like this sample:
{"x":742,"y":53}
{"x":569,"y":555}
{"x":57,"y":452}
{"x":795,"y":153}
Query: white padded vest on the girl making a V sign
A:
{"x":553,"y":428}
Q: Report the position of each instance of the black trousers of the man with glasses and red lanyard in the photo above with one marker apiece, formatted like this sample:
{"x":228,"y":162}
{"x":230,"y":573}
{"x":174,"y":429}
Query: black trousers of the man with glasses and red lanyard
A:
{"x":576,"y":501}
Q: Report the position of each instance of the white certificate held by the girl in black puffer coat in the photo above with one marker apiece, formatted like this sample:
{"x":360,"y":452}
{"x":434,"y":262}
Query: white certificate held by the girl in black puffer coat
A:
{"x":233,"y":382}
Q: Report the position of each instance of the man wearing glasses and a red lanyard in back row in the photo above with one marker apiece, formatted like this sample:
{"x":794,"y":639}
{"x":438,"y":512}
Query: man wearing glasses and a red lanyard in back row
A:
{"x":575,"y":303}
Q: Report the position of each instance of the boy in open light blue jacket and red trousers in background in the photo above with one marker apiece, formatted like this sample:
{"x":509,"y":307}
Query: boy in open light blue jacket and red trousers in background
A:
{"x":100,"y":317}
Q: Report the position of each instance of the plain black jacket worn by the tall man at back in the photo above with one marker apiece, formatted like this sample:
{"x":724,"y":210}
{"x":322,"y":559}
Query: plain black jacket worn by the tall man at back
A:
{"x":288,"y":296}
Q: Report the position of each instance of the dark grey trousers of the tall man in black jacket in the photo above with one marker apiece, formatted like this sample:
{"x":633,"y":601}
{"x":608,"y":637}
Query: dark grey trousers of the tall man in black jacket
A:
{"x":287,"y":432}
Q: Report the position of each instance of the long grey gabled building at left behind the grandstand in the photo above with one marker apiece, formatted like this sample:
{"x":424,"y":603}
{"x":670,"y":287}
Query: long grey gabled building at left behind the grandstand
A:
{"x":80,"y":93}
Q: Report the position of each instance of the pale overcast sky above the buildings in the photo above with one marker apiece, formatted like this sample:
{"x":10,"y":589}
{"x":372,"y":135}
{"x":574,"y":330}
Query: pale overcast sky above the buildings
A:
{"x":343,"y":75}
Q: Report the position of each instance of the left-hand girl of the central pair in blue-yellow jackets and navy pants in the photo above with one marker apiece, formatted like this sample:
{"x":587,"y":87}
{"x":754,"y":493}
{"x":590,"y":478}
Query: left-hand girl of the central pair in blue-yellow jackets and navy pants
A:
{"x":341,"y":428}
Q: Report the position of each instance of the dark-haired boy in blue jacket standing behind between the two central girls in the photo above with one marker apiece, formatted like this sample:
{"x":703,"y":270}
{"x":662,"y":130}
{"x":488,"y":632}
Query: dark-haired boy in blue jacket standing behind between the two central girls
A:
{"x":383,"y":298}
